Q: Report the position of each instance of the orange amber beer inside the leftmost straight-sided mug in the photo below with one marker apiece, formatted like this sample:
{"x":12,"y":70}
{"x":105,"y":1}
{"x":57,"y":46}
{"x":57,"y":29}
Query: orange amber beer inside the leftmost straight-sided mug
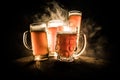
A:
{"x":39,"y":42}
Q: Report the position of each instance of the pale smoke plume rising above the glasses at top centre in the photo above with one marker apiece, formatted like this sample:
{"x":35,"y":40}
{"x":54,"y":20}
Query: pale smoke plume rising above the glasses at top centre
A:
{"x":51,"y":11}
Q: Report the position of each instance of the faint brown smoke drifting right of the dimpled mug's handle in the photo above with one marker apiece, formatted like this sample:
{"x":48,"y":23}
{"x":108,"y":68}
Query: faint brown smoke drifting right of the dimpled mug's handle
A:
{"x":96,"y":42}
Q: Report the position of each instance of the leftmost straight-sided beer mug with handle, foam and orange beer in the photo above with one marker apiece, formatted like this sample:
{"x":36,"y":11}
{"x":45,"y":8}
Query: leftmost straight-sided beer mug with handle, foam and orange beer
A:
{"x":38,"y":40}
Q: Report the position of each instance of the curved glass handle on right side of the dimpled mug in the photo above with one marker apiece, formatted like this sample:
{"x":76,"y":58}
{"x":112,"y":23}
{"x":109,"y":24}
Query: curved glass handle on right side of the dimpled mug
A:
{"x":83,"y":46}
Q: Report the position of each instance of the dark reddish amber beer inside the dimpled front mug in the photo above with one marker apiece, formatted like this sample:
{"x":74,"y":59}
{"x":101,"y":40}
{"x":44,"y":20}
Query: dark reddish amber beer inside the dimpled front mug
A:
{"x":66,"y":44}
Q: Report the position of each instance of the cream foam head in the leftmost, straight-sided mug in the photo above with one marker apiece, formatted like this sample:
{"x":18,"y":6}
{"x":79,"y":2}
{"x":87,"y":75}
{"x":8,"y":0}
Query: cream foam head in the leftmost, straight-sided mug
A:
{"x":37,"y":27}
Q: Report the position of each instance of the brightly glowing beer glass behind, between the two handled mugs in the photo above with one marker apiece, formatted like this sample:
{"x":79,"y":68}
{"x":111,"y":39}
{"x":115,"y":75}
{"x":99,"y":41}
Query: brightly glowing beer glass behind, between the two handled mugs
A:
{"x":52,"y":27}
